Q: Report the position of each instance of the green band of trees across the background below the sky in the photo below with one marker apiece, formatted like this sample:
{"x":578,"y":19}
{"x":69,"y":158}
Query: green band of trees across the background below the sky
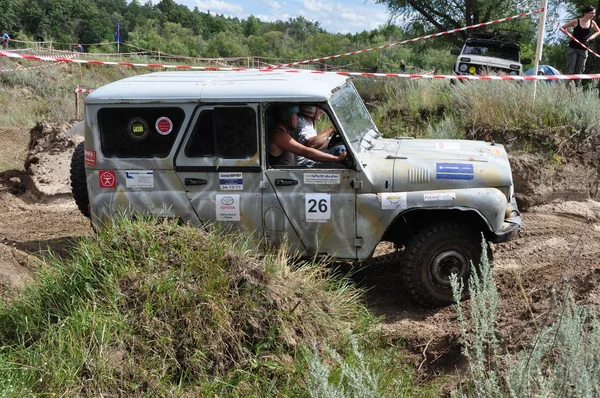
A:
{"x":175,"y":29}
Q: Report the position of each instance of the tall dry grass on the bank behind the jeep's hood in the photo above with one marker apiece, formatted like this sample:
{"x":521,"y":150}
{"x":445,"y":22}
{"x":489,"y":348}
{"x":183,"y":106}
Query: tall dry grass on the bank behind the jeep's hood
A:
{"x":560,"y":121}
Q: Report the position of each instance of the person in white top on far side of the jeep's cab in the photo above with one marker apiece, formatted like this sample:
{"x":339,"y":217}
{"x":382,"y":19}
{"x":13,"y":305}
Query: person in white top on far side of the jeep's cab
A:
{"x":308,"y":135}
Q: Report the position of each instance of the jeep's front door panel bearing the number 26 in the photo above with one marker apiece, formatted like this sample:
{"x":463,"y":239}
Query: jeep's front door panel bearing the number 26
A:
{"x":319,"y":206}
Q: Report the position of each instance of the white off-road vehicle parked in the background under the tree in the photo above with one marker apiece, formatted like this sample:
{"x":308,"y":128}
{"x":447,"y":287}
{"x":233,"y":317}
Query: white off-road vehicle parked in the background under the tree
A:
{"x":486,"y":53}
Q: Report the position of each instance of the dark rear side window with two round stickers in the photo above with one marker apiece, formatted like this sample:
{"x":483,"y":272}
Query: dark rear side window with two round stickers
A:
{"x":139,"y":132}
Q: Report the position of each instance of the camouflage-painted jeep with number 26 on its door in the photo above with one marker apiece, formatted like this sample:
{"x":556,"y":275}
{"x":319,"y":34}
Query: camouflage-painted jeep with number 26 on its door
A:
{"x":192,"y":146}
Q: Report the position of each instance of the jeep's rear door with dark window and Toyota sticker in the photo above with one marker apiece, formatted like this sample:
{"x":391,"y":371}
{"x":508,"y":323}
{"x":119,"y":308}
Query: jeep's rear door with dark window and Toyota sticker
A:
{"x":218,"y":163}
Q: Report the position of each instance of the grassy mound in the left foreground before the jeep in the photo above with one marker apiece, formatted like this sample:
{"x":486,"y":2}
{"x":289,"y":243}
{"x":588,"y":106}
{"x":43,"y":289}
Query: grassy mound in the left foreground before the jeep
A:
{"x":153,"y":308}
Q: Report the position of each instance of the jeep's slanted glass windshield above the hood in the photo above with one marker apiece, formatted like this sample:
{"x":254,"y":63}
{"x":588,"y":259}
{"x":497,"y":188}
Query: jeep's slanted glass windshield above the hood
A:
{"x":354,"y":117}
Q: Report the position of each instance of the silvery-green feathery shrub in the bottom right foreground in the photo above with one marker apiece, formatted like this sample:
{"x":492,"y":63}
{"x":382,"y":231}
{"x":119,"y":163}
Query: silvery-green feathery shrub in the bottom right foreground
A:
{"x":562,"y":360}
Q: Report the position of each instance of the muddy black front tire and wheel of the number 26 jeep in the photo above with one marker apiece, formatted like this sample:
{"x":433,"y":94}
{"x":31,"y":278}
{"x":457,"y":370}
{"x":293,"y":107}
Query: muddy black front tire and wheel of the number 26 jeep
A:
{"x":432,"y":255}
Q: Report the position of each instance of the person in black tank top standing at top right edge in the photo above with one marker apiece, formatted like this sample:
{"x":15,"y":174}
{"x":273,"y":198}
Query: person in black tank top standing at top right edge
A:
{"x":585,"y":30}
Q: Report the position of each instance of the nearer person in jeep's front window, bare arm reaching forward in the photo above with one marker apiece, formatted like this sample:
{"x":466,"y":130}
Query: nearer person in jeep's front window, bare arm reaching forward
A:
{"x":283,"y":147}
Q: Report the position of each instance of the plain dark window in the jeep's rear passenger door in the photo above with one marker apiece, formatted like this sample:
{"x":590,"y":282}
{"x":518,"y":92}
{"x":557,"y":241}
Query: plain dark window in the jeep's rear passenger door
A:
{"x":227,"y":132}
